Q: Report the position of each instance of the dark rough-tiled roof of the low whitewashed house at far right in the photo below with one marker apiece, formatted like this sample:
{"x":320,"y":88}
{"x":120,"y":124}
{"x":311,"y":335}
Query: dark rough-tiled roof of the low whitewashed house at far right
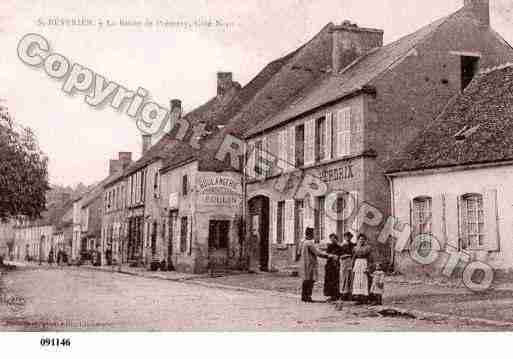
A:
{"x":476,"y":127}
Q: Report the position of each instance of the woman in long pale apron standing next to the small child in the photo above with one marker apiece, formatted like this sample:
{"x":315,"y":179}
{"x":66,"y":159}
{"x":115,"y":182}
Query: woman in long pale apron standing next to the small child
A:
{"x":362,"y":258}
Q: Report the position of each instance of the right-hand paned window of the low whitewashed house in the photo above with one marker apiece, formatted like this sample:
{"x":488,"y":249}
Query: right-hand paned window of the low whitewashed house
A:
{"x":472,"y":221}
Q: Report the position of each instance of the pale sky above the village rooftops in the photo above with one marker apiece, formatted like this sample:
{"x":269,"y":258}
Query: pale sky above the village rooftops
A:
{"x":170,"y":62}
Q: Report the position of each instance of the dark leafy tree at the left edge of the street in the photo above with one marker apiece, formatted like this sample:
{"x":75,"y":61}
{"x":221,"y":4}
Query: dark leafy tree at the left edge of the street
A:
{"x":23,"y":170}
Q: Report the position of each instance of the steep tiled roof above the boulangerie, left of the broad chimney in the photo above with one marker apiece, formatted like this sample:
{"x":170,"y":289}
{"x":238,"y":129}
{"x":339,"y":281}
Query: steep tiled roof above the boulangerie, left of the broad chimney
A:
{"x":274,"y":87}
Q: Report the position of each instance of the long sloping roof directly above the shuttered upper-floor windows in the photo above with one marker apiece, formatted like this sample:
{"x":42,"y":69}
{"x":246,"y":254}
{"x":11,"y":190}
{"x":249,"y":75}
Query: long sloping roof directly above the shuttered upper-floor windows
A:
{"x":353,"y":78}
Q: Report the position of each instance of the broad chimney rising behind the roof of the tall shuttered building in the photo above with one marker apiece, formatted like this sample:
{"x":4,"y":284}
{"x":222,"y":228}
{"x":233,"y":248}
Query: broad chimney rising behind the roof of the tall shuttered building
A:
{"x":351,"y":42}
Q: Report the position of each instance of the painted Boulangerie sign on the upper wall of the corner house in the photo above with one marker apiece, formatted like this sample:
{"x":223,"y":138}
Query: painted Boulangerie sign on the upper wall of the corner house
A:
{"x":215,"y":190}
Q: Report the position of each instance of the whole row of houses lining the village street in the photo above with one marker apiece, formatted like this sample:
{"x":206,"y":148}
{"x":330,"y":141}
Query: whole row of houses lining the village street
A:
{"x":391,"y":125}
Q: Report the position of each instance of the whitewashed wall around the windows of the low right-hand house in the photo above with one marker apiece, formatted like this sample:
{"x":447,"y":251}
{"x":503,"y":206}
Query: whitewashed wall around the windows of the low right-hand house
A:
{"x":444,"y":189}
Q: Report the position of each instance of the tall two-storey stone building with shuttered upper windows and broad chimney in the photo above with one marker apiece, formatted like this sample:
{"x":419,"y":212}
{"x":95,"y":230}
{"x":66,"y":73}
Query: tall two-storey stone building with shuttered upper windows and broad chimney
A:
{"x":341,"y":132}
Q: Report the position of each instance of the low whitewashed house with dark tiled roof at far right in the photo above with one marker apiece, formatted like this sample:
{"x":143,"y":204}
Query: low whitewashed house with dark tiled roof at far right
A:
{"x":453,"y":181}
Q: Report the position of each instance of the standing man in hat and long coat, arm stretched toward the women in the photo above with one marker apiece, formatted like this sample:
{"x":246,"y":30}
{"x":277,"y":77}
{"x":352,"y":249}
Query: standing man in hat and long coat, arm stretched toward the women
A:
{"x":310,"y":267}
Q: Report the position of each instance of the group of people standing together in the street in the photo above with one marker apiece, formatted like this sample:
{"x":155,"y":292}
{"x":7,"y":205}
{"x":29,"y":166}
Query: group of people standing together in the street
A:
{"x":350,"y":273}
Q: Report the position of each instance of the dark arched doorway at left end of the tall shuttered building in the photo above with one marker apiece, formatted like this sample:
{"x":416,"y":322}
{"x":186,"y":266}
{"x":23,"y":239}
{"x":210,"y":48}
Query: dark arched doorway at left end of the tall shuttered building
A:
{"x":259,"y":224}
